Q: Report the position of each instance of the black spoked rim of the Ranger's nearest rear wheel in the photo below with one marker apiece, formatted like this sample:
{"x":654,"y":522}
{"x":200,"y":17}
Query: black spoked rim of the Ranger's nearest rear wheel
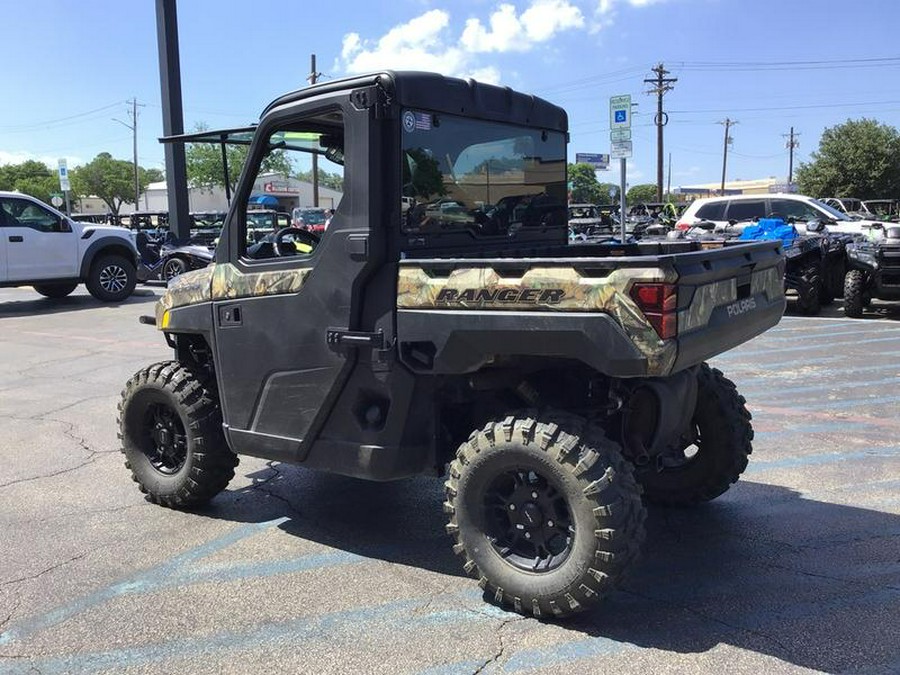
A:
{"x":528,"y":521}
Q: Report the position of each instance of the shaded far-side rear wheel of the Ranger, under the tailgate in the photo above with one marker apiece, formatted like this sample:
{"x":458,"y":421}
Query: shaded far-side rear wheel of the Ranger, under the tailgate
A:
{"x":705,"y":465}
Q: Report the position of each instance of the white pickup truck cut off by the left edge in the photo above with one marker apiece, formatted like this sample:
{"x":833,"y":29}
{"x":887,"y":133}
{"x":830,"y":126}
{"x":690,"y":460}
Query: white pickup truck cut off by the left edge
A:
{"x":41,"y":247}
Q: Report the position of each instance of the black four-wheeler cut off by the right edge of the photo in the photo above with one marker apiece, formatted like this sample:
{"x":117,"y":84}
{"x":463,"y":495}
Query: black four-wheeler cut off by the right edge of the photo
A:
{"x":874,"y":271}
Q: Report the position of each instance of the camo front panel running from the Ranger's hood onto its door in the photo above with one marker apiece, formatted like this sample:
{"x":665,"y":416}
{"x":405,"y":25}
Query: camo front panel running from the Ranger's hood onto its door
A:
{"x":225,"y":282}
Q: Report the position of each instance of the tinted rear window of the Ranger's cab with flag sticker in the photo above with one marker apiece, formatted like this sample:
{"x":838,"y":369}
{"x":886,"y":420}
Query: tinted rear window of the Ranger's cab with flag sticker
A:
{"x":485,"y":177}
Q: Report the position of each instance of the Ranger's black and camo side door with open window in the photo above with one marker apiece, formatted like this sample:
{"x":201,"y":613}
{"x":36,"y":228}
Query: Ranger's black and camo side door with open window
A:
{"x":283,"y":305}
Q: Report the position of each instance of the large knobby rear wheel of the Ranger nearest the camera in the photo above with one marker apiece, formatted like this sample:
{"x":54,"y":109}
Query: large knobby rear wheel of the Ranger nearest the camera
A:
{"x":546,"y":513}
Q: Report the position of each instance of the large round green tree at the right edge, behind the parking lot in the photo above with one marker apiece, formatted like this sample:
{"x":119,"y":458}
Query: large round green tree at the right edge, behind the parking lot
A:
{"x":860,"y":158}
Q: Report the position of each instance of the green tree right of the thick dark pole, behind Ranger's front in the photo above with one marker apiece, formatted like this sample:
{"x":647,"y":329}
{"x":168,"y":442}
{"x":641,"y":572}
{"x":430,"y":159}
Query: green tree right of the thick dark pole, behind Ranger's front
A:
{"x":205,"y":169}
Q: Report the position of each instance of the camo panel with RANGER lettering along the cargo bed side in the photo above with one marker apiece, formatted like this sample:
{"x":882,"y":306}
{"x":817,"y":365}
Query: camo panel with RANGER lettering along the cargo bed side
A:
{"x":419,"y":290}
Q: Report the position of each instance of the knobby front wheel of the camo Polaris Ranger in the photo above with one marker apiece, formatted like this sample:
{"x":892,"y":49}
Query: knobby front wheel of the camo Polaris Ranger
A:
{"x":170,"y":426}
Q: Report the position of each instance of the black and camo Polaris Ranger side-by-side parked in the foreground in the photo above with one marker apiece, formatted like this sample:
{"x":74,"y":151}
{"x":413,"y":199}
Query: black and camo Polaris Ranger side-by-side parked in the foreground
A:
{"x":442,"y":325}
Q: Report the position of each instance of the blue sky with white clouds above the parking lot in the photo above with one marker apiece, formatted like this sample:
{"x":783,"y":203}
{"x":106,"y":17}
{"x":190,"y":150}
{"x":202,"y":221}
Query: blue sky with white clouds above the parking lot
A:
{"x":69,"y":67}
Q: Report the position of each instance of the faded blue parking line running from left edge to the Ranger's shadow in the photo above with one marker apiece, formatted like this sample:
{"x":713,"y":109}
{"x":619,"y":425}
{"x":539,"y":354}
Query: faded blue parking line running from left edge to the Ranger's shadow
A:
{"x":140,"y":583}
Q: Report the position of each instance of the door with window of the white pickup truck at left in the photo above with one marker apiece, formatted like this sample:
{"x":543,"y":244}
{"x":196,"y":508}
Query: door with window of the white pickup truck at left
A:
{"x":40,"y":244}
